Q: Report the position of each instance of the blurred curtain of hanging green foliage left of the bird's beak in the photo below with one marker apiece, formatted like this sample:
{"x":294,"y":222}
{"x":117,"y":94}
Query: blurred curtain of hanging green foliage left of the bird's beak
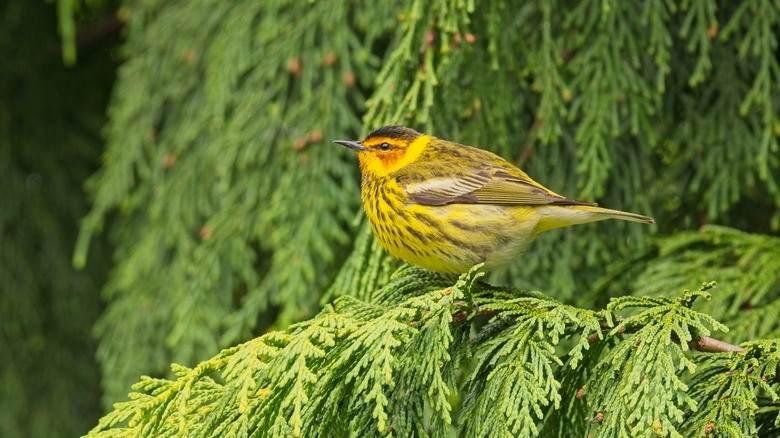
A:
{"x":253,"y":231}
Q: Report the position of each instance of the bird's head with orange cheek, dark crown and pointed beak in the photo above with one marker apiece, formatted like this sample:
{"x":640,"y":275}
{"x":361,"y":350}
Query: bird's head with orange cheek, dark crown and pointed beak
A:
{"x":388,"y":149}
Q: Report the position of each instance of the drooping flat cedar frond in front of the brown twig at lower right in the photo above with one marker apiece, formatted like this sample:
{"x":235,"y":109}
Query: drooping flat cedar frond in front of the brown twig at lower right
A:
{"x":637,"y":388}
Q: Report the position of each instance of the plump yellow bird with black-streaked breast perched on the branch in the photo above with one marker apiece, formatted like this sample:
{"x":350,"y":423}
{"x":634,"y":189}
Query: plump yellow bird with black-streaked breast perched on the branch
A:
{"x":447,"y":207}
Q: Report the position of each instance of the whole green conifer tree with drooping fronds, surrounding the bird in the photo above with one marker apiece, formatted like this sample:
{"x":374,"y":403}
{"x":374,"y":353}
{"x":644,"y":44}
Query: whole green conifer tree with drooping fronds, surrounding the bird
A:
{"x":242,"y":258}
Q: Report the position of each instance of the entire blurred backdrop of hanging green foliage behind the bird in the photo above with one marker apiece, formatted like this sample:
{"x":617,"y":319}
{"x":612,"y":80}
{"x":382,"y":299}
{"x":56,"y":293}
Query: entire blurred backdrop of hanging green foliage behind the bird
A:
{"x":231,"y":213}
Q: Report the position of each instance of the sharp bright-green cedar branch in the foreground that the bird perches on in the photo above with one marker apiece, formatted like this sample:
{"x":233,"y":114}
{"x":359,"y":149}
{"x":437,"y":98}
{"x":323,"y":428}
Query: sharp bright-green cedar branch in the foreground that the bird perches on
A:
{"x":359,"y":366}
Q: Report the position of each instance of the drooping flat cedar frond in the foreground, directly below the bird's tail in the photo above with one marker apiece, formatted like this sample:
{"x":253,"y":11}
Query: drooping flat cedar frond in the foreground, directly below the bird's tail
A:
{"x":514,"y":379}
